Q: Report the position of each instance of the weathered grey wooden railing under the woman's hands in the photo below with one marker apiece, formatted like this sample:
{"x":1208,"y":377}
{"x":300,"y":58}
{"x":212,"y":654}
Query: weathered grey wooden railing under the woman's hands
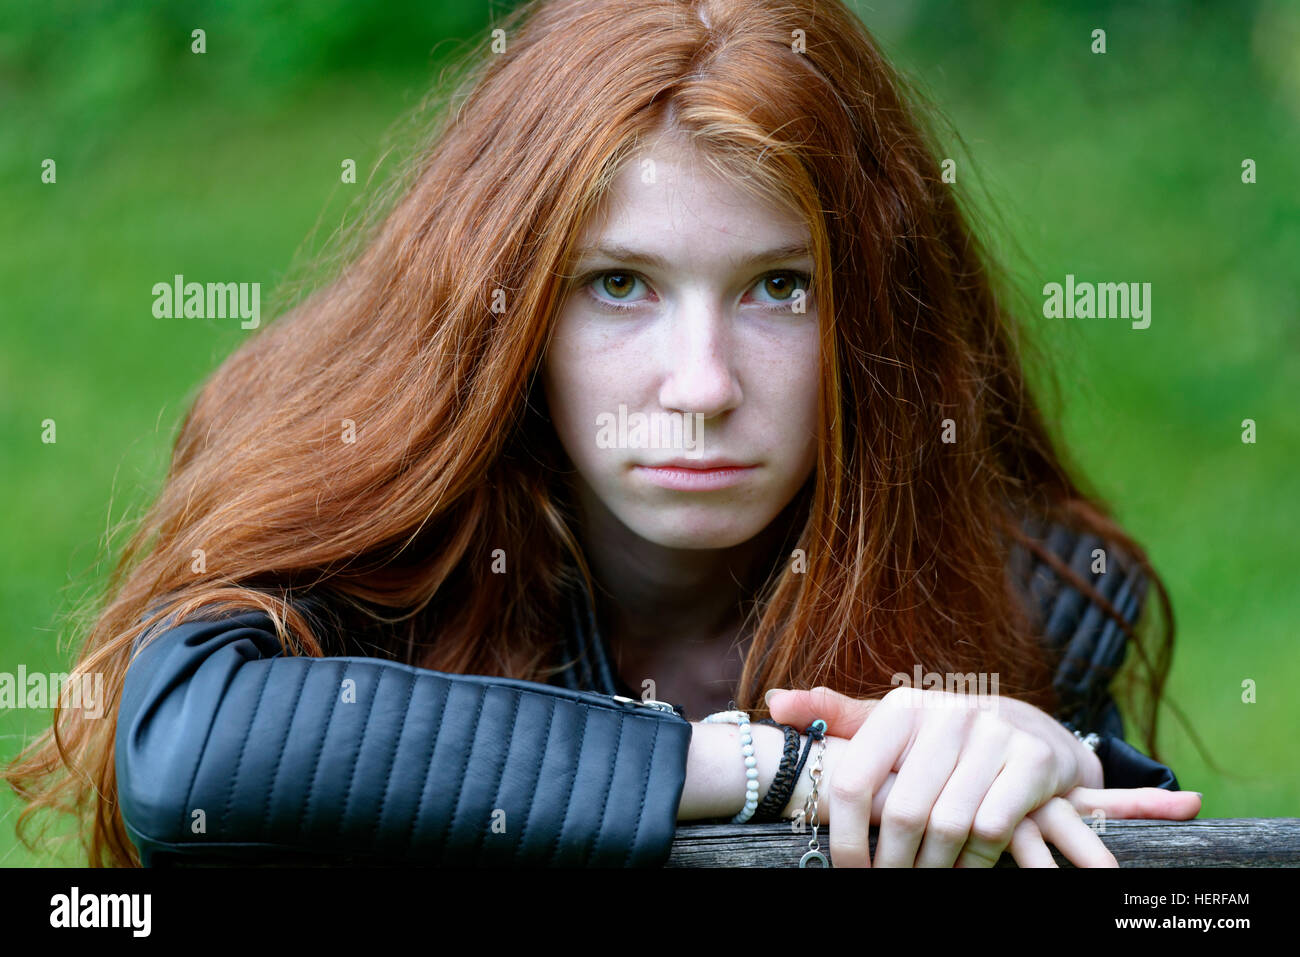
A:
{"x":1204,"y":843}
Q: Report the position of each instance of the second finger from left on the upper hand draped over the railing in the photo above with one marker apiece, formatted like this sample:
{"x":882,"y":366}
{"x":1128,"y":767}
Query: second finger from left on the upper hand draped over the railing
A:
{"x":930,"y":764}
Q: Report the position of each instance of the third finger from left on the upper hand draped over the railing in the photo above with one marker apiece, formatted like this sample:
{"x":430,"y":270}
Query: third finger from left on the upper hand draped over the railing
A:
{"x":954,"y":813}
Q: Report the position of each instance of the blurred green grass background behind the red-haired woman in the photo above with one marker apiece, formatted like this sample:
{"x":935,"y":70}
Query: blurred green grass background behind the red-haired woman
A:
{"x":1117,"y":167}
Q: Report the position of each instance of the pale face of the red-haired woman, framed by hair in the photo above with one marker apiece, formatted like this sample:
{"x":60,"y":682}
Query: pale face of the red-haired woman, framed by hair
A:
{"x":688,"y":337}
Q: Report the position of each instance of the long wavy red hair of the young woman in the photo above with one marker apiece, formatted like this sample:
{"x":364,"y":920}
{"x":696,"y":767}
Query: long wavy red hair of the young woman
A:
{"x":387,"y":434}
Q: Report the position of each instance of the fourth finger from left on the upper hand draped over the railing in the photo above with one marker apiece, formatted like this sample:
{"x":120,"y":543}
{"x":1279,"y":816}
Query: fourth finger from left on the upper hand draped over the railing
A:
{"x":1021,"y":786}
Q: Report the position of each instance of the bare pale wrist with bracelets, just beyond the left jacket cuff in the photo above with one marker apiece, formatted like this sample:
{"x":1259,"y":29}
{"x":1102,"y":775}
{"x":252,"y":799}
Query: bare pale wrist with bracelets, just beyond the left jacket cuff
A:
{"x":716,"y":770}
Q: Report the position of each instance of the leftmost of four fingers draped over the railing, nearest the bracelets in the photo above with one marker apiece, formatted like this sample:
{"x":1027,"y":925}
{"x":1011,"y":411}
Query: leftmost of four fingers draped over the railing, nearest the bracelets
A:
{"x":859,"y":774}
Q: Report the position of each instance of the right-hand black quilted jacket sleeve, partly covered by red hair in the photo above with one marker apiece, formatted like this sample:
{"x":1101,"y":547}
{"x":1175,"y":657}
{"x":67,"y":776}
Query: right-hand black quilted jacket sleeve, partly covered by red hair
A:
{"x":1093,"y":648}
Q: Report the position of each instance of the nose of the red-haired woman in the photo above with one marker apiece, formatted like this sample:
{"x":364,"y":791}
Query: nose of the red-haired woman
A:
{"x":700,"y":362}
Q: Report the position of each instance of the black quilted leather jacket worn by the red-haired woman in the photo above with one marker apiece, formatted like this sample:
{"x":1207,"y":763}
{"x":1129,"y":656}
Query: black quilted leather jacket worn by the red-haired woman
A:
{"x":229,"y":751}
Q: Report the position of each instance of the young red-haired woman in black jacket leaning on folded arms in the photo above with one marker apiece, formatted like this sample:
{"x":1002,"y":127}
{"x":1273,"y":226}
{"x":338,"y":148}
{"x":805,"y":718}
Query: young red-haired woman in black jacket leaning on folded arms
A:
{"x":423,"y":571}
